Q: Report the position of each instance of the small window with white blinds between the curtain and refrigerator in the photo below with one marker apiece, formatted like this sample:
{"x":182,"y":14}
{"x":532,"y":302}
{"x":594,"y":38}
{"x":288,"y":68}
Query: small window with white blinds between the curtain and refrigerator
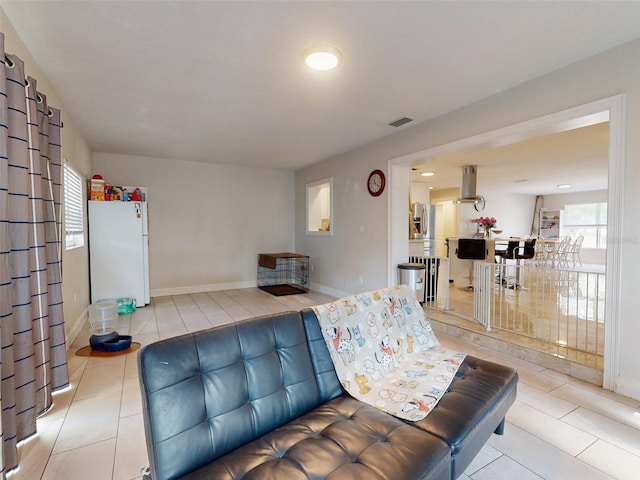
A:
{"x":73,"y":207}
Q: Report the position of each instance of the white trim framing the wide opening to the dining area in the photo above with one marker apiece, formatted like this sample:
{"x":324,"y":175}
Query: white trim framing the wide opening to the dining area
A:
{"x":612,"y":109}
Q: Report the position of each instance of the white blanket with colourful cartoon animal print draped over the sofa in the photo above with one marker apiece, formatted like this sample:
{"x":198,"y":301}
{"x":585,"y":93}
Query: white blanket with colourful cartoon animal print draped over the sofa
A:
{"x":385,"y":352}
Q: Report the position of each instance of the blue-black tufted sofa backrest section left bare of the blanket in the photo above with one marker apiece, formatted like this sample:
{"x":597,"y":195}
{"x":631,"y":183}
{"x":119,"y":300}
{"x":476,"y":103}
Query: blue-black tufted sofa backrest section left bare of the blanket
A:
{"x":209,"y":392}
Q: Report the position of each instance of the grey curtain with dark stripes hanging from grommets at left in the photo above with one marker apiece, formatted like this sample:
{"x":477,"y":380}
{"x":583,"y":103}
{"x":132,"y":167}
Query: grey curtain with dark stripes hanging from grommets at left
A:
{"x":33,"y":361}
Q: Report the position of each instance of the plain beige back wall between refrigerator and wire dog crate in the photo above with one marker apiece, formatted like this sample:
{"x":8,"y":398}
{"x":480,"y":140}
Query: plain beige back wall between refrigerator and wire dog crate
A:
{"x":207,"y":222}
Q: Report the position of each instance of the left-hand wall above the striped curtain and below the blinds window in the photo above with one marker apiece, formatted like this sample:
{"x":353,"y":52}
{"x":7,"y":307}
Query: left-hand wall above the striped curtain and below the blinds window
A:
{"x":75,"y":270}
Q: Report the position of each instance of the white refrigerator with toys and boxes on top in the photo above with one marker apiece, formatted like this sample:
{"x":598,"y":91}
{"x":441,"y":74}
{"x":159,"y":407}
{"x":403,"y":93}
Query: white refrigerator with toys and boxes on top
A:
{"x":119,"y":250}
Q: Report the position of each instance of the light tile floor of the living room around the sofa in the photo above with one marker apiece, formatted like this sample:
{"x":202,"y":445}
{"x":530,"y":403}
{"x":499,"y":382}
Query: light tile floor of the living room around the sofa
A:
{"x":559,"y":427}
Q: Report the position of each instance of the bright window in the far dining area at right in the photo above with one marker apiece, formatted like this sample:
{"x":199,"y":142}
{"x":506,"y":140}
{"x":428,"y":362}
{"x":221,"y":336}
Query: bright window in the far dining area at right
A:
{"x":588,"y":220}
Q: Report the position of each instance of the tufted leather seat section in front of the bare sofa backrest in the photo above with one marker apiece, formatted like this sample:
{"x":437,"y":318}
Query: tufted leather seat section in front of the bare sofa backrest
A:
{"x":341,"y":440}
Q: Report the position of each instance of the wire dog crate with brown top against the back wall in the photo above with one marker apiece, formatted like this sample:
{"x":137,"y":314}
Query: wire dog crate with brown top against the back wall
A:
{"x":283,"y":273}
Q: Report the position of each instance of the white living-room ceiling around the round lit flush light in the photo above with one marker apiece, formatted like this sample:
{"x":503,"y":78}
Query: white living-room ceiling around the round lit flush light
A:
{"x":223,"y":82}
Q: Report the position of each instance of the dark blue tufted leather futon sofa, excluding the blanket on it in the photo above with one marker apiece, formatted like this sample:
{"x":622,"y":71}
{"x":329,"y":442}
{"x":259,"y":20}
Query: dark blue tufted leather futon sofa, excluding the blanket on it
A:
{"x":260,"y":399}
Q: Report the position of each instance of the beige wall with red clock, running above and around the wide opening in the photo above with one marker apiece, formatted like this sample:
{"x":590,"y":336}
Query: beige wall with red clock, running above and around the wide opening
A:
{"x":350,"y":252}
